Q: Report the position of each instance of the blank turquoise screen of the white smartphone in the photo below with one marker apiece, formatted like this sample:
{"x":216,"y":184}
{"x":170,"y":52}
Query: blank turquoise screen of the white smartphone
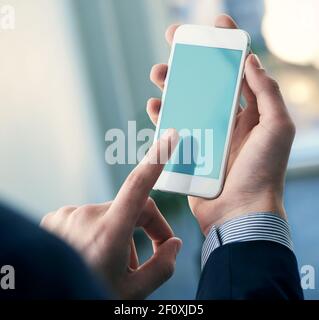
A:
{"x":198,"y":104}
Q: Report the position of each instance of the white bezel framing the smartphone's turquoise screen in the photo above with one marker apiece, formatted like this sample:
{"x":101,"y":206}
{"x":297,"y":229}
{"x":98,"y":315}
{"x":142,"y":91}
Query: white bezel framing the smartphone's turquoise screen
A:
{"x":208,"y":37}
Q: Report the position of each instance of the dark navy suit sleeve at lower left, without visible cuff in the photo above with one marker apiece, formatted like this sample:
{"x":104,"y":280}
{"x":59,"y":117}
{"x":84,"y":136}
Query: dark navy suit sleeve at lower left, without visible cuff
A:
{"x":45,"y":267}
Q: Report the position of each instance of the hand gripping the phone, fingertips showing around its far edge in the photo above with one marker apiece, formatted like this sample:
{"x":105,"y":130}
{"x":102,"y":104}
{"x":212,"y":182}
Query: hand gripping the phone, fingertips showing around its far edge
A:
{"x":260,"y":146}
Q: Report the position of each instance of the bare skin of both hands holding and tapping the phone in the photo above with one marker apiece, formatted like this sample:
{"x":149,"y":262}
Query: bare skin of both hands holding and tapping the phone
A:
{"x":260,"y":148}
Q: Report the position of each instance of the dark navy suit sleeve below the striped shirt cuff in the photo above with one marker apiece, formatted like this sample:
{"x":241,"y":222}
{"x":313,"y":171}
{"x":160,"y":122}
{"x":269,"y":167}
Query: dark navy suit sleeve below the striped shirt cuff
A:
{"x":250,"y":270}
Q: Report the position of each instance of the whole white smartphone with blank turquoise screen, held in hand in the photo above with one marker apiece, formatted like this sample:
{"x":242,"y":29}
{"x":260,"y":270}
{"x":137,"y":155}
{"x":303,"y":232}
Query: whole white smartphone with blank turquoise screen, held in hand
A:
{"x":200,"y":100}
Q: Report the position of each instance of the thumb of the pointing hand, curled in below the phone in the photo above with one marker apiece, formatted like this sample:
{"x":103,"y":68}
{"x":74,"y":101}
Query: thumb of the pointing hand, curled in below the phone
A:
{"x":158,"y":269}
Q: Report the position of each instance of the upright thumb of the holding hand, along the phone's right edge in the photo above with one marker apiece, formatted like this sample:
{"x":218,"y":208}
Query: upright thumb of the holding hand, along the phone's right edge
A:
{"x":269,"y":99}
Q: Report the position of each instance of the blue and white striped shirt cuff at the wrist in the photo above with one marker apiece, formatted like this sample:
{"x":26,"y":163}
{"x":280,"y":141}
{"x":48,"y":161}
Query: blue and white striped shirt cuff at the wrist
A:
{"x":256,"y":226}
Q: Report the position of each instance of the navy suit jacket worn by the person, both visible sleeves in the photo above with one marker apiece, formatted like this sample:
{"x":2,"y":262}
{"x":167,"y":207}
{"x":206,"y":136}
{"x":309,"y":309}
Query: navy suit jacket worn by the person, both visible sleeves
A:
{"x":46,"y":268}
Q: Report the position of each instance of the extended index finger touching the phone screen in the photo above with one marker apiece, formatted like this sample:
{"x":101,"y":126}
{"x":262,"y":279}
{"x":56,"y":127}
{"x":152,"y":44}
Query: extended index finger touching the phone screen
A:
{"x":133,"y":194}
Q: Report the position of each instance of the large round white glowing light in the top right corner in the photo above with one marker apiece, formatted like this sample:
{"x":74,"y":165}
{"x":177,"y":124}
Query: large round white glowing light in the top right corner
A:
{"x":291,"y":30}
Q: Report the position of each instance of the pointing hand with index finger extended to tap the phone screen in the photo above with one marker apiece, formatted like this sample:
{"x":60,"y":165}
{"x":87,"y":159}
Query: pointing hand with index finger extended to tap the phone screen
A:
{"x":103,"y":234}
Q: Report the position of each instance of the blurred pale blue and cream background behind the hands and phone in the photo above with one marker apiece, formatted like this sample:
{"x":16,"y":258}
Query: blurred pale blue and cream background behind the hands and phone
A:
{"x":72,"y":69}
